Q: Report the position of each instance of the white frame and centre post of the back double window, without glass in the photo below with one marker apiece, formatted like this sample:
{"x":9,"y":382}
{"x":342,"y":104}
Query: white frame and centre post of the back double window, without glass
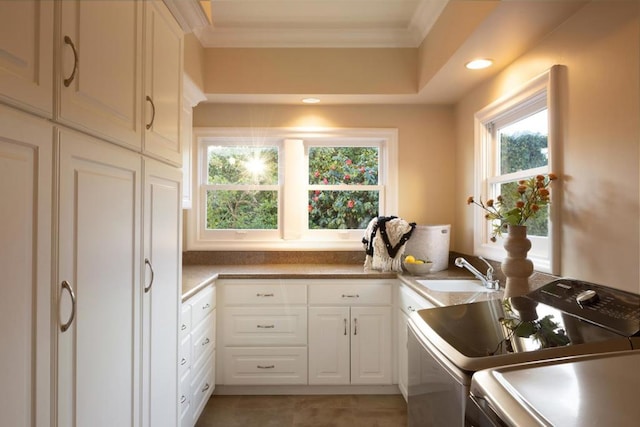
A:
{"x":293,"y":232}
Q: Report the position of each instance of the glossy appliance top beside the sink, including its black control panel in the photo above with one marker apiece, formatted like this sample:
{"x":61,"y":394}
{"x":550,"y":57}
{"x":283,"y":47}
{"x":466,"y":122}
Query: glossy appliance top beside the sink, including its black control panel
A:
{"x":491,"y":333}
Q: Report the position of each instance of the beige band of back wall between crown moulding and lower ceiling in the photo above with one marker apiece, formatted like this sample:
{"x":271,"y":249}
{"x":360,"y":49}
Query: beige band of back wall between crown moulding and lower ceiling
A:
{"x":311,"y":71}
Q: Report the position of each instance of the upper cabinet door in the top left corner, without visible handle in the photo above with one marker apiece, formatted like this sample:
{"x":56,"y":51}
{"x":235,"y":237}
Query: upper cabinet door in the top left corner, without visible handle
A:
{"x":26,"y":55}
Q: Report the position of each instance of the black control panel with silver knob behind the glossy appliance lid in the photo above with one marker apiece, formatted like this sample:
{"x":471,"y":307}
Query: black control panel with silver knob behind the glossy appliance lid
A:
{"x":613,"y":309}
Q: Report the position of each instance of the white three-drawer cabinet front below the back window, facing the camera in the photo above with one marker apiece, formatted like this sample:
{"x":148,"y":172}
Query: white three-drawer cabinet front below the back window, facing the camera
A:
{"x":263,"y":332}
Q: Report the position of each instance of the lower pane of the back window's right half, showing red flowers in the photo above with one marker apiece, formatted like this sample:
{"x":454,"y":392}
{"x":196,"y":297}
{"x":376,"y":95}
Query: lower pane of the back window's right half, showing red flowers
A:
{"x":342,"y":209}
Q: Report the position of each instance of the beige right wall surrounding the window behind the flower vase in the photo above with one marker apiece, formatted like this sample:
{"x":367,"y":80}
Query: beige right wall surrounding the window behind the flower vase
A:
{"x":600,"y":49}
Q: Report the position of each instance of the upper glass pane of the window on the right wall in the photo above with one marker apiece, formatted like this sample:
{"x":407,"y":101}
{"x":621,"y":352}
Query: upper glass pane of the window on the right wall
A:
{"x":523,"y":144}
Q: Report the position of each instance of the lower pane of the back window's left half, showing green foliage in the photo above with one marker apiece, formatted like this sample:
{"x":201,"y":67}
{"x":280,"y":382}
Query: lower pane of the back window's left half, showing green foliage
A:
{"x":242,"y":210}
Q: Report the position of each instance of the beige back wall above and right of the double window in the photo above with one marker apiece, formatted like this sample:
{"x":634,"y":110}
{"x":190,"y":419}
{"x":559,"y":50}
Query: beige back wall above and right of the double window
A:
{"x":425,"y":146}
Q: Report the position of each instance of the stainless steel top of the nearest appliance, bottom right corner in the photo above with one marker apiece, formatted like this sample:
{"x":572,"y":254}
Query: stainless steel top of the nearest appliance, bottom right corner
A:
{"x":580,"y":391}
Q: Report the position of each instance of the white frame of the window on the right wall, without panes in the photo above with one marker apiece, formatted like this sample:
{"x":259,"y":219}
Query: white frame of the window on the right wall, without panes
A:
{"x":545,"y":252}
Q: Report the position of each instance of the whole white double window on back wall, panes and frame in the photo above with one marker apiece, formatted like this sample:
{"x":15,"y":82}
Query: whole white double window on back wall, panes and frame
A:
{"x":290,"y":189}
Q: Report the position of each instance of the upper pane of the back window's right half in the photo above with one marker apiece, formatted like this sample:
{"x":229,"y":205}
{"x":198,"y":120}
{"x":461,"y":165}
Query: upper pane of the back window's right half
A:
{"x":343,"y":165}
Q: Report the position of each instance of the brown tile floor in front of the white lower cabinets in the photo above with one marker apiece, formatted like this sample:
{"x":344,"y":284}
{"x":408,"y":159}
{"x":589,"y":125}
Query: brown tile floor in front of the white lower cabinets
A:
{"x":305,"y":411}
